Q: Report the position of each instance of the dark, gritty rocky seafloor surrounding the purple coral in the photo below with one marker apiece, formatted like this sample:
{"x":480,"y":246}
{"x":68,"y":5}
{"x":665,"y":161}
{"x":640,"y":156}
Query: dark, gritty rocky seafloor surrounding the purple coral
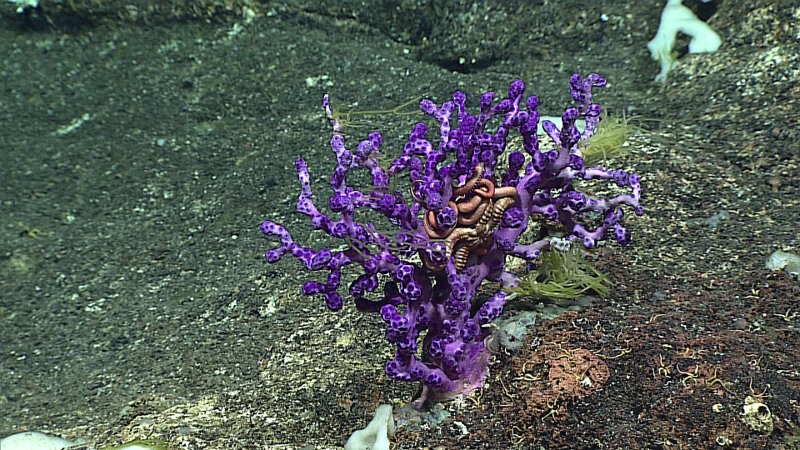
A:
{"x":141,"y":147}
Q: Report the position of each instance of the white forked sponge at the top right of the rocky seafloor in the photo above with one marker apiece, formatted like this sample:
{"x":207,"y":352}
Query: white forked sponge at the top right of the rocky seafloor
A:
{"x":674,"y":18}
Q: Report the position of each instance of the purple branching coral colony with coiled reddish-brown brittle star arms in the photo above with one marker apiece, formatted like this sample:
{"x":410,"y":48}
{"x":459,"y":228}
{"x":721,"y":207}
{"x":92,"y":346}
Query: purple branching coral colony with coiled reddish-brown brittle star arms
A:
{"x":461,"y":219}
